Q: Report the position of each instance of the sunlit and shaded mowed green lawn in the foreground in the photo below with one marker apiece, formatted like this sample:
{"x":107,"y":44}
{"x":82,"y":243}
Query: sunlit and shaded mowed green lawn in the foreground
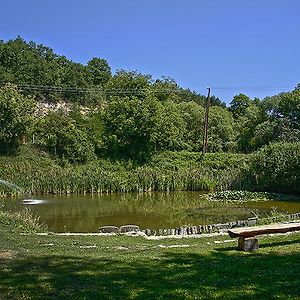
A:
{"x":49,"y":266}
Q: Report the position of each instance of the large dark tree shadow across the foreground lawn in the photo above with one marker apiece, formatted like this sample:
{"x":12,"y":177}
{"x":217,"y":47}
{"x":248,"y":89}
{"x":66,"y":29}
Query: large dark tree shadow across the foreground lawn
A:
{"x":175,"y":275}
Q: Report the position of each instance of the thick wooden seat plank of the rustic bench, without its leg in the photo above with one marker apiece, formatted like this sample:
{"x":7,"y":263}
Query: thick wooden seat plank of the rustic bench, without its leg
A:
{"x":264,"y":229}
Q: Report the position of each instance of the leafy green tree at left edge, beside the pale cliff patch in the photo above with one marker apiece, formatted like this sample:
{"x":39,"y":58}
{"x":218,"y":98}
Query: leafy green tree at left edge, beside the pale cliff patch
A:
{"x":16,"y":116}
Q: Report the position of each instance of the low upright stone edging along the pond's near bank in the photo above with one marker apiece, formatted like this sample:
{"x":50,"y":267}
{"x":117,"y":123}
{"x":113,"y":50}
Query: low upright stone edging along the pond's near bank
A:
{"x":200,"y":229}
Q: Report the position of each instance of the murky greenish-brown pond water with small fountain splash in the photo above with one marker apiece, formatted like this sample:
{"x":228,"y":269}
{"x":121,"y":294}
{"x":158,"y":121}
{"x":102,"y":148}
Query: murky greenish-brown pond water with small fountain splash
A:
{"x":86,"y":213}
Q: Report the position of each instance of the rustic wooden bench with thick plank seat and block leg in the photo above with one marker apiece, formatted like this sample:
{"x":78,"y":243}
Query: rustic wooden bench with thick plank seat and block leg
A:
{"x":246,"y":235}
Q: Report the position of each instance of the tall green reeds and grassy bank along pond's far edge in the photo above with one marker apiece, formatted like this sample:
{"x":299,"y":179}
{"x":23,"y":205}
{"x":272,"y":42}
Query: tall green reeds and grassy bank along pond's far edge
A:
{"x":37,"y":173}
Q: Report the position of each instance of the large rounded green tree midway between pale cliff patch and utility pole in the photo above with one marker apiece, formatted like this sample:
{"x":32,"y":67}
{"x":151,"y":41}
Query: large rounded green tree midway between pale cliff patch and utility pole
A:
{"x":130,"y":127}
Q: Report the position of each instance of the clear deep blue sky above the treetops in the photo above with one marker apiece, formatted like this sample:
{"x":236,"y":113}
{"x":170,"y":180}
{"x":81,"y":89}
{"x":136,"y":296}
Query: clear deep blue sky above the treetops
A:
{"x":218,"y":43}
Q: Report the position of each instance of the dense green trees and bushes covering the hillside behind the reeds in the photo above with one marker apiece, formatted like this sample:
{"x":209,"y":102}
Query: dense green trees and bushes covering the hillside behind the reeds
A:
{"x":131,"y":116}
